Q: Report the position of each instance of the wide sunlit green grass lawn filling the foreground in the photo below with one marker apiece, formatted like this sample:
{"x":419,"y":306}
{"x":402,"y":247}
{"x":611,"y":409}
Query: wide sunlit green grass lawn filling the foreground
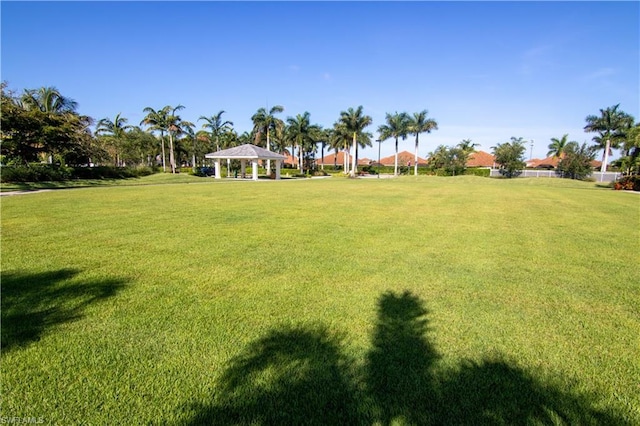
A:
{"x":395,"y":301}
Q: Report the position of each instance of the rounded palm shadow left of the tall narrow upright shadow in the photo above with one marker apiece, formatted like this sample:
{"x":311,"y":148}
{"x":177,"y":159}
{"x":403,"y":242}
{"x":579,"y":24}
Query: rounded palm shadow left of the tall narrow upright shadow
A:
{"x":292,"y":376}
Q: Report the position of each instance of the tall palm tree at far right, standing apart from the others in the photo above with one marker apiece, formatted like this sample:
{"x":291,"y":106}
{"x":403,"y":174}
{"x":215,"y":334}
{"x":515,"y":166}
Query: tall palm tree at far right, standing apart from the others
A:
{"x":611,"y":126}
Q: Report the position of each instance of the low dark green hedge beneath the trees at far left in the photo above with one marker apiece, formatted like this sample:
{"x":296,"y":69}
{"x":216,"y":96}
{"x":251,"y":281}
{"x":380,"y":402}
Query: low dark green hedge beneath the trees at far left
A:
{"x":53,"y":173}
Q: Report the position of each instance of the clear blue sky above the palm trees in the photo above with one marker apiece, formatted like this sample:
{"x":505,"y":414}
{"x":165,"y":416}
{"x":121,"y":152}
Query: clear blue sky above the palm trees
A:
{"x":486,"y":71}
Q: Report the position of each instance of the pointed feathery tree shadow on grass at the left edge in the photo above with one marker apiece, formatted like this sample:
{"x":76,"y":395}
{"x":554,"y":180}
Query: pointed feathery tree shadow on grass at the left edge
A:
{"x":32,"y":304}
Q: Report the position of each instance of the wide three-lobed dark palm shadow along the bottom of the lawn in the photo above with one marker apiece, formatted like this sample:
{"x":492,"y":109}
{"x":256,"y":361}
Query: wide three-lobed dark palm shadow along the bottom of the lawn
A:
{"x":300,"y":376}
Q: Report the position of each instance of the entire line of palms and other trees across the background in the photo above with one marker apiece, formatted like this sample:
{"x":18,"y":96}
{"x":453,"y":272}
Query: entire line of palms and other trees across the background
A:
{"x":42,"y":125}
